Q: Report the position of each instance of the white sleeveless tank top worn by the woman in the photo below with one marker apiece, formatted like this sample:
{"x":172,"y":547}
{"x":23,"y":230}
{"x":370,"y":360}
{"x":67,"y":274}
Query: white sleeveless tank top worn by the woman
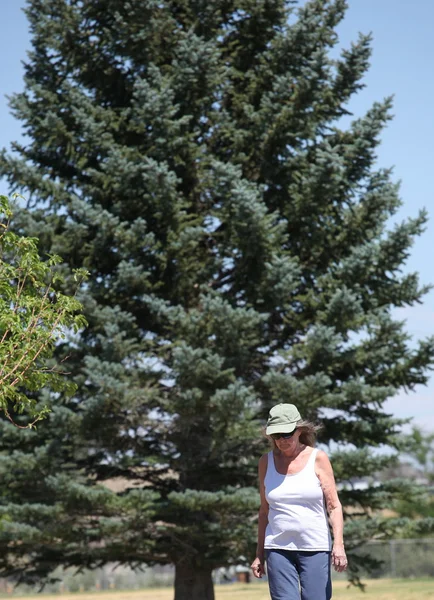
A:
{"x":297,"y":518}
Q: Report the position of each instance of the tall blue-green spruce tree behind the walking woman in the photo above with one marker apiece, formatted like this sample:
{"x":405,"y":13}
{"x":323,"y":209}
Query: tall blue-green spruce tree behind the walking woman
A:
{"x":190,"y":155}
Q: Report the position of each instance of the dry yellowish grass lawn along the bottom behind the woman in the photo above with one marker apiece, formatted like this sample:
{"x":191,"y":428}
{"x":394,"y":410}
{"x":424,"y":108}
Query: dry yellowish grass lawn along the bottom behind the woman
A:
{"x":377,"y":589}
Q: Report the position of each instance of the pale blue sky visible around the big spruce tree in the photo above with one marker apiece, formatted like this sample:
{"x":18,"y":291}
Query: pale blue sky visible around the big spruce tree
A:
{"x":403,"y":53}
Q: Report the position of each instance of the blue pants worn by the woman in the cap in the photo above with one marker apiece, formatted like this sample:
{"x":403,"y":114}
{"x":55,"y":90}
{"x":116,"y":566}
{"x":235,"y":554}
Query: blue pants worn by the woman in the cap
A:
{"x":295,"y":575}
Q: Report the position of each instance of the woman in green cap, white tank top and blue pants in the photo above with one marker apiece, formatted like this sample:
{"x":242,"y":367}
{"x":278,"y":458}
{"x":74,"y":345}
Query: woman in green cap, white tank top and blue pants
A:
{"x":298,"y":489}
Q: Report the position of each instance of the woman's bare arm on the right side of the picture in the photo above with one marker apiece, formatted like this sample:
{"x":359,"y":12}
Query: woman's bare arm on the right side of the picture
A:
{"x":325,"y":474}
